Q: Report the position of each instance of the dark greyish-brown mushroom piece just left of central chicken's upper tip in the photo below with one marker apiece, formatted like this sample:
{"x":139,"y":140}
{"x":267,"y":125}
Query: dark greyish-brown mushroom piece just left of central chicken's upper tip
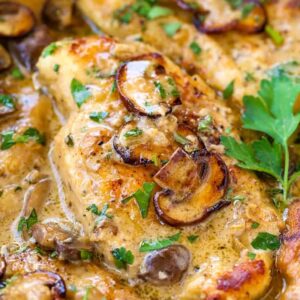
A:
{"x":28,"y":50}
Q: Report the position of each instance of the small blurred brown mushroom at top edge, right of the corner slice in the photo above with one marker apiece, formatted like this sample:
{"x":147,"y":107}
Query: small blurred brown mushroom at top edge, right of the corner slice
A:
{"x":58,"y":13}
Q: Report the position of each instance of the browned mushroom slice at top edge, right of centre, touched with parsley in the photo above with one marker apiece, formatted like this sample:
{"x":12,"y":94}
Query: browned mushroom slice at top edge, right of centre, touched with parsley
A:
{"x":207,"y":22}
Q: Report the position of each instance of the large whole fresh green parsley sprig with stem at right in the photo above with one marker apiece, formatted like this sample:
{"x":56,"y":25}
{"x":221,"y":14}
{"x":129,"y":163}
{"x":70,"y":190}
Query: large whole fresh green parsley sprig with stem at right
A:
{"x":272,"y":113}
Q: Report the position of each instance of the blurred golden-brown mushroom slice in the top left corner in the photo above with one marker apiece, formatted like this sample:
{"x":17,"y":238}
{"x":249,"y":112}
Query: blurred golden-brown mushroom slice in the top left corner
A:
{"x":16,"y":19}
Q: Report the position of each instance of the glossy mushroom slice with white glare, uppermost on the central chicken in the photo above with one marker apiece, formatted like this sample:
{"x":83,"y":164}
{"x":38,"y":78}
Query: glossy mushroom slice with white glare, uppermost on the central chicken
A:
{"x":146,"y":87}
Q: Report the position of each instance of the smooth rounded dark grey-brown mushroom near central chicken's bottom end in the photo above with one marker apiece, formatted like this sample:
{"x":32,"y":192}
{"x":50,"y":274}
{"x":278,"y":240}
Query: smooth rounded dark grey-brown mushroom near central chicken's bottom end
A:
{"x":166,"y":266}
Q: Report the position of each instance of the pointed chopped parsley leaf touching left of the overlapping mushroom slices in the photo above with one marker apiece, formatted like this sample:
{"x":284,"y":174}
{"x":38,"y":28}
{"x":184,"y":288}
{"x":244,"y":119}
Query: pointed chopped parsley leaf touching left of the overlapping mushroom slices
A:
{"x":142,"y":197}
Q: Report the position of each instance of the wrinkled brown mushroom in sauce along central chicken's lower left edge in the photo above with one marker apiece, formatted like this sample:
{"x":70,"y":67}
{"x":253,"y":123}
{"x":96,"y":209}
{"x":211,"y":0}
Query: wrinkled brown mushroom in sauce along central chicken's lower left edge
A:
{"x":51,"y":236}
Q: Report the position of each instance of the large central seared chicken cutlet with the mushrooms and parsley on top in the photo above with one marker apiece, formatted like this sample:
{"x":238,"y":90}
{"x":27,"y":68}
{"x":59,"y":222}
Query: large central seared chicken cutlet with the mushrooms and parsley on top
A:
{"x":147,"y":184}
